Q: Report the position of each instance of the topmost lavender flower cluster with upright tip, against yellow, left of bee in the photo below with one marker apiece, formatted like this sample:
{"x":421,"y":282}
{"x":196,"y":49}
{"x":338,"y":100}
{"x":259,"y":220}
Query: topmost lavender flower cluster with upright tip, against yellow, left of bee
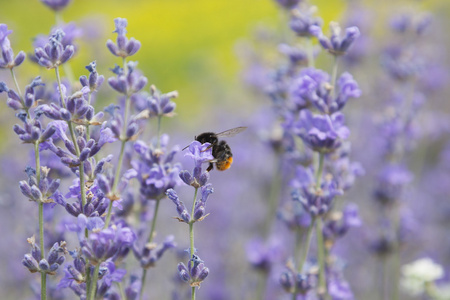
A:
{"x":123,"y":47}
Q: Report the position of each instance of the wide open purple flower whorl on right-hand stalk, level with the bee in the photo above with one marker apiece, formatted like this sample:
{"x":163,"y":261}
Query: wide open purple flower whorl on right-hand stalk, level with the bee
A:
{"x":322,"y":133}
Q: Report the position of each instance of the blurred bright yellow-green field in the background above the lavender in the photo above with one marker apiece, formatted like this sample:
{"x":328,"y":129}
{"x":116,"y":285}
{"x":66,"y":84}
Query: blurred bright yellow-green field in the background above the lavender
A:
{"x":187,"y":45}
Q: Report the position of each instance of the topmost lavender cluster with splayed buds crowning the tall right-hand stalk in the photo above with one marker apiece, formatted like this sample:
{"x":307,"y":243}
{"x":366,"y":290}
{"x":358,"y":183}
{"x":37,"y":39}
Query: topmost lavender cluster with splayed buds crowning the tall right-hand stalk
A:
{"x":337,"y":44}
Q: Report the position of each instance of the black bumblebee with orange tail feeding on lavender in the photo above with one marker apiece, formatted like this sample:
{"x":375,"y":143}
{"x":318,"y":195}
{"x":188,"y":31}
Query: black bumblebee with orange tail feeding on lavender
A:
{"x":221,"y":151}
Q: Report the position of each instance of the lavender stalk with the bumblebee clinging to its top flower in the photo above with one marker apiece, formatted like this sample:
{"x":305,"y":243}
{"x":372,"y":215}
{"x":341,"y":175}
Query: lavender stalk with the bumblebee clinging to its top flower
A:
{"x":196,"y":271}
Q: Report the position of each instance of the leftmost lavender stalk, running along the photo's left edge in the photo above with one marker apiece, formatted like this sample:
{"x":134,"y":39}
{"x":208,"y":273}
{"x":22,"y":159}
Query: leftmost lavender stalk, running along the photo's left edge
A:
{"x":38,"y":188}
